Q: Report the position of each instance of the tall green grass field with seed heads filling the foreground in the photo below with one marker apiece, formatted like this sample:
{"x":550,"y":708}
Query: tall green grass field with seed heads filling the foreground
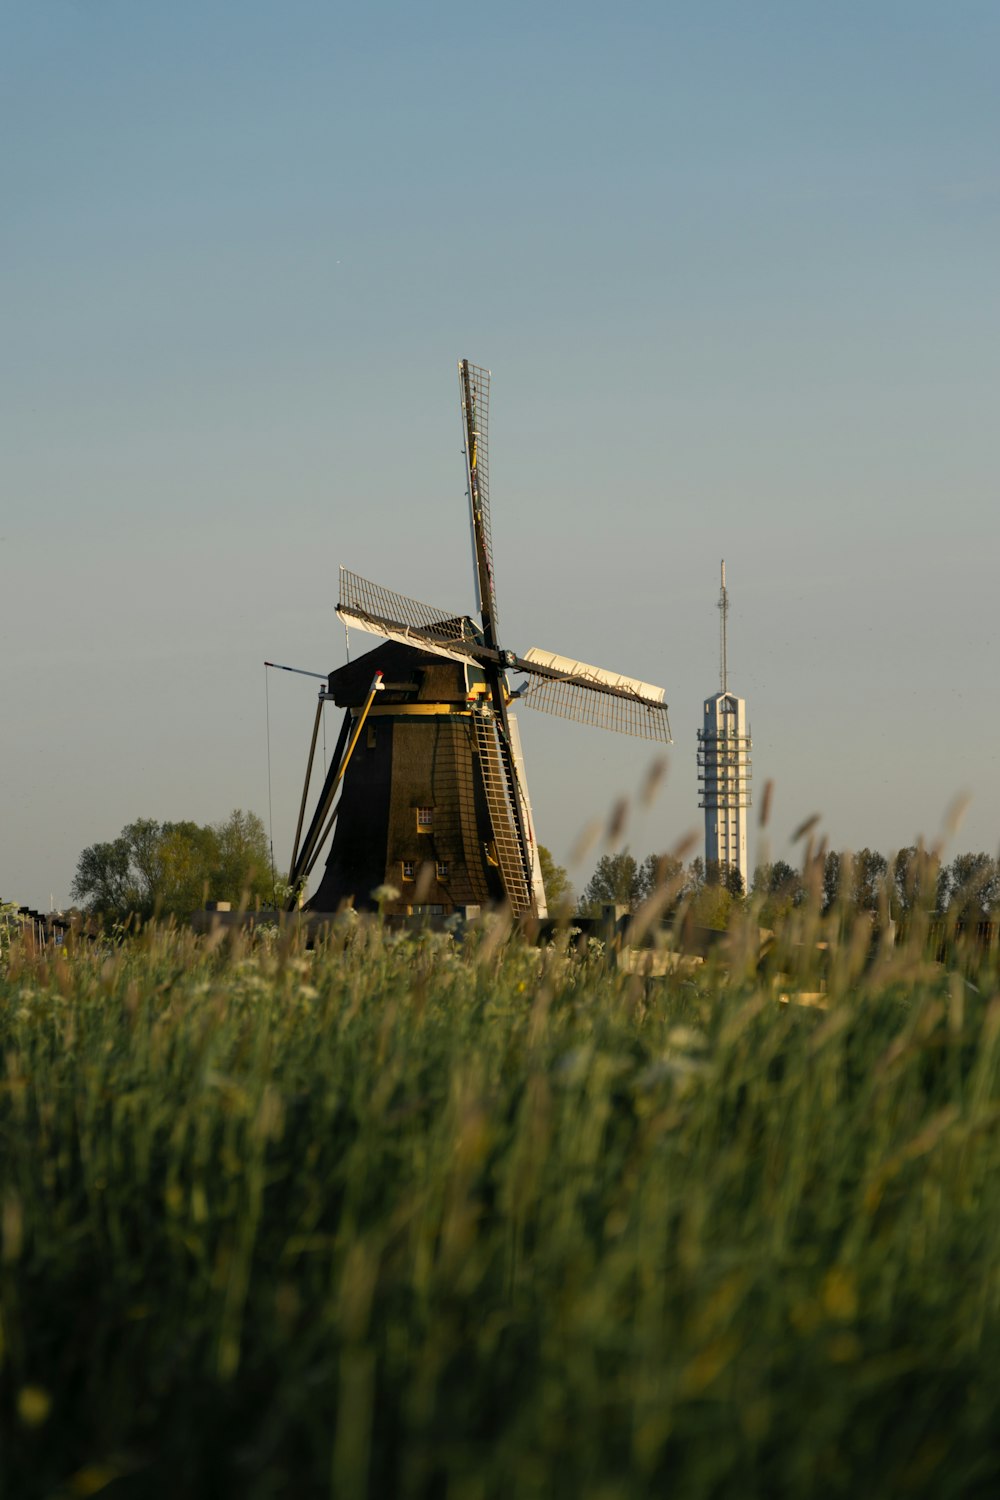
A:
{"x":403,"y":1219}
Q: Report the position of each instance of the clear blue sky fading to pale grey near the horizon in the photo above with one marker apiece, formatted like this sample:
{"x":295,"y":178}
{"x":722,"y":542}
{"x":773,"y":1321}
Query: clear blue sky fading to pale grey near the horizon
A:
{"x":735,"y":271}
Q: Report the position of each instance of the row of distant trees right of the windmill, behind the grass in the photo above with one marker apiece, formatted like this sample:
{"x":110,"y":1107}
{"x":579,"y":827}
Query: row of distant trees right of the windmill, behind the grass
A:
{"x":968,"y":889}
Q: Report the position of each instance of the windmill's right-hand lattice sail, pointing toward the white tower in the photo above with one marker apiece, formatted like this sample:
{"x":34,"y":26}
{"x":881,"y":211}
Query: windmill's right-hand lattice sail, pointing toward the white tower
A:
{"x":594,"y":697}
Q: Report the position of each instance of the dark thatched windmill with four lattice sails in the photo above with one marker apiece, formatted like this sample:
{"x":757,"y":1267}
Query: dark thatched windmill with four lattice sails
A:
{"x":434,"y":799}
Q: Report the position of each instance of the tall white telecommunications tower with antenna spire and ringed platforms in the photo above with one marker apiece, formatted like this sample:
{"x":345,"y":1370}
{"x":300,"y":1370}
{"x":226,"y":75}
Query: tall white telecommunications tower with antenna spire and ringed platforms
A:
{"x":725,"y":766}
